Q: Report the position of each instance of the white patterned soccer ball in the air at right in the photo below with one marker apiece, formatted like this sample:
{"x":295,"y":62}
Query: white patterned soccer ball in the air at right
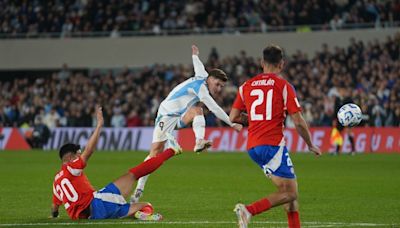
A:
{"x":349,"y":115}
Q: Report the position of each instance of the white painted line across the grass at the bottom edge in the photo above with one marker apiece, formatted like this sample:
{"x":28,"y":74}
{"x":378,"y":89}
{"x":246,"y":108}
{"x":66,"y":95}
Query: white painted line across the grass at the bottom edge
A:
{"x":308,"y":224}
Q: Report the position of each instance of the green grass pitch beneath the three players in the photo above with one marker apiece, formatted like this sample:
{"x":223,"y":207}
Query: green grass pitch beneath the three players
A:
{"x":193,"y":190}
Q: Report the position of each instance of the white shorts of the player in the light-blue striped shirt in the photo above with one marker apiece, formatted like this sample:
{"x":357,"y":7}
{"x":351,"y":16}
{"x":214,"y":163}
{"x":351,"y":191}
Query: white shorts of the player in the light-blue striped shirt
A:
{"x":164,"y":125}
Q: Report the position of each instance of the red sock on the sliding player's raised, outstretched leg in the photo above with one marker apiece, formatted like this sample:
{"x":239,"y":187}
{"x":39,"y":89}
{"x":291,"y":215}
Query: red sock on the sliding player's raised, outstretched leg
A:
{"x":152,"y":164}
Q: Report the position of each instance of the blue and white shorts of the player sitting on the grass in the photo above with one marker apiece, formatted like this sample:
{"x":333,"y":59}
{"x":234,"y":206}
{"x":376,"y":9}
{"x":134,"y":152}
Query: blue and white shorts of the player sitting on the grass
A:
{"x":109,"y":203}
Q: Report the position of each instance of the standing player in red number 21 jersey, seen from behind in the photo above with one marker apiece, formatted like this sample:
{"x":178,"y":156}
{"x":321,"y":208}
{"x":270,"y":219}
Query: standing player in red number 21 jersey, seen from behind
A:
{"x":267,"y":98}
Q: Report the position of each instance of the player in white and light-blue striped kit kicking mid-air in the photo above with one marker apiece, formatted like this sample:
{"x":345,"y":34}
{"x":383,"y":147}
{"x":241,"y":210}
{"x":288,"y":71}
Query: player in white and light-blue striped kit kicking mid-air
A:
{"x":179,"y":109}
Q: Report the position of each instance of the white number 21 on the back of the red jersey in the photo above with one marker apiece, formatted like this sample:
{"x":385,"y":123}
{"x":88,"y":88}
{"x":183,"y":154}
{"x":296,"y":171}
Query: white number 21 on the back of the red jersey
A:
{"x":261,"y":96}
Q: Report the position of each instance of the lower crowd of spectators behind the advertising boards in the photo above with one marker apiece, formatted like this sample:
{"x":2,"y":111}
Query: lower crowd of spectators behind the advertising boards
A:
{"x":367,"y":73}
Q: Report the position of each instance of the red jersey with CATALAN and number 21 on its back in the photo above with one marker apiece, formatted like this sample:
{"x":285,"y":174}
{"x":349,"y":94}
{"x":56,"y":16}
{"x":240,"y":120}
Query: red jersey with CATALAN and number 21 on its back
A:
{"x":266,"y":98}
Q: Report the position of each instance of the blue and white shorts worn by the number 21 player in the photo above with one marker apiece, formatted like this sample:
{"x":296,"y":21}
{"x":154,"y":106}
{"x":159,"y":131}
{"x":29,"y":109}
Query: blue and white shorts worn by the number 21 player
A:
{"x":274,"y":160}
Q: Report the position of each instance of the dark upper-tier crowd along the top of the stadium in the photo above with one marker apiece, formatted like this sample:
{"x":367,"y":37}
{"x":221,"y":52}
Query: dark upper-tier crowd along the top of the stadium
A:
{"x":112,"y":16}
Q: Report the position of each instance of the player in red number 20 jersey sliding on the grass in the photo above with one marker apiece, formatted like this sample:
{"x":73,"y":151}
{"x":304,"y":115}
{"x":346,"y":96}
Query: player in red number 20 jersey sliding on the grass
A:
{"x":72,"y":188}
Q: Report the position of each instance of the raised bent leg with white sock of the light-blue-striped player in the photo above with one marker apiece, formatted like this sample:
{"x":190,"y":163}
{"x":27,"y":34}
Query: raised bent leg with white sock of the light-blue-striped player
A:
{"x":195,"y":115}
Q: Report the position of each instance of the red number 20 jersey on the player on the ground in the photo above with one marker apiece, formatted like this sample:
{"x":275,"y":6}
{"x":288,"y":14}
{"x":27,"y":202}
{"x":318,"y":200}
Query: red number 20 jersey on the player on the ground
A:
{"x":72,"y":188}
